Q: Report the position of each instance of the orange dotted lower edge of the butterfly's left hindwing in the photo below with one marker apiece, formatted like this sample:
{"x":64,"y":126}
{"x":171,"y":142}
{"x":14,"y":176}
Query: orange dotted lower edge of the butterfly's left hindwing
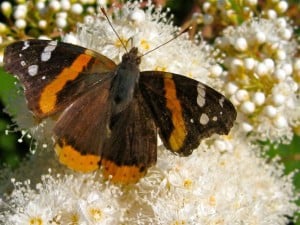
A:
{"x":73,"y":159}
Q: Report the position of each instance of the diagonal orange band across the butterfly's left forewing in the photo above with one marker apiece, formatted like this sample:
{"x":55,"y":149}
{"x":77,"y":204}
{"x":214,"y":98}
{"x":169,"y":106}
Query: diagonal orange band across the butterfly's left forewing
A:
{"x":49,"y":94}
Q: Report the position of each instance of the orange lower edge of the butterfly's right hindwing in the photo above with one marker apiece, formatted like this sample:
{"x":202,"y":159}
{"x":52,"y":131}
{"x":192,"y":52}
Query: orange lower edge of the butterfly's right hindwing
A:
{"x":121,"y":174}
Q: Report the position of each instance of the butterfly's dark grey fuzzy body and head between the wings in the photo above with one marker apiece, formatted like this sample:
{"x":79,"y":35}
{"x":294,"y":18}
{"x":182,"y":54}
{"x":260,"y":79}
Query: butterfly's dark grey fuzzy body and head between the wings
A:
{"x":126,"y":77}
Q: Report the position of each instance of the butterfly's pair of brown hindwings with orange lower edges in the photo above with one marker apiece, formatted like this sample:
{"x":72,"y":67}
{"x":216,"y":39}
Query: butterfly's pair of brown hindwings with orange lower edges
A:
{"x":89,"y":135}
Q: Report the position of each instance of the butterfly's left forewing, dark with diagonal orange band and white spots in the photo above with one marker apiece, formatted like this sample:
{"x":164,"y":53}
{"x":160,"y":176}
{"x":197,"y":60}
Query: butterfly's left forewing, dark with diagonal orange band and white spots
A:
{"x":54,"y":73}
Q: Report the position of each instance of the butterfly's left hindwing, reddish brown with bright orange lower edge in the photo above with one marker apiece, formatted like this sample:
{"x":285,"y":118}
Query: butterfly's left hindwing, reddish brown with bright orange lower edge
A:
{"x":82,"y":129}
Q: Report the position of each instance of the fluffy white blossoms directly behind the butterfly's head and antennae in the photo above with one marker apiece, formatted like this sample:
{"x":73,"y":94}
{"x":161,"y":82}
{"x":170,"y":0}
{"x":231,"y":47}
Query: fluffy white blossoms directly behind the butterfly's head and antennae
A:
{"x":193,"y":61}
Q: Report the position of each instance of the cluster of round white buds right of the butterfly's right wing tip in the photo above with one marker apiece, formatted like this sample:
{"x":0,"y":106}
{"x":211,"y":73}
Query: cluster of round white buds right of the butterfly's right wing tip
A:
{"x":261,"y":71}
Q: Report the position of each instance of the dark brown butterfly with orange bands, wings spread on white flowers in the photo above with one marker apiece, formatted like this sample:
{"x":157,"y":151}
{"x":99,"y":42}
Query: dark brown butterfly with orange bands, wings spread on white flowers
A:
{"x":109,"y":115}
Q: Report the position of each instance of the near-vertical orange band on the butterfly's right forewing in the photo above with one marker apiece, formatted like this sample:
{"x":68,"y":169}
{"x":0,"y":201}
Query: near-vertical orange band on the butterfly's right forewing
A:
{"x":178,"y":135}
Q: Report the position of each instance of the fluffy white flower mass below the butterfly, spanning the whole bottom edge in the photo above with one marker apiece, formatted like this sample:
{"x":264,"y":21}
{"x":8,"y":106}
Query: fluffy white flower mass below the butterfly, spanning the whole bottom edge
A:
{"x":209,"y":187}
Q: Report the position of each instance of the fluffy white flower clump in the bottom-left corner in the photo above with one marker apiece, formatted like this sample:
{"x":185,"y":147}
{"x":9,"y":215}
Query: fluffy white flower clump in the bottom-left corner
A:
{"x":65,"y":199}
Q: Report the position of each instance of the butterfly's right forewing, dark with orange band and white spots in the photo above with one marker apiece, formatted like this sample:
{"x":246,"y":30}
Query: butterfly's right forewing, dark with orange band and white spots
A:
{"x":185,"y":110}
